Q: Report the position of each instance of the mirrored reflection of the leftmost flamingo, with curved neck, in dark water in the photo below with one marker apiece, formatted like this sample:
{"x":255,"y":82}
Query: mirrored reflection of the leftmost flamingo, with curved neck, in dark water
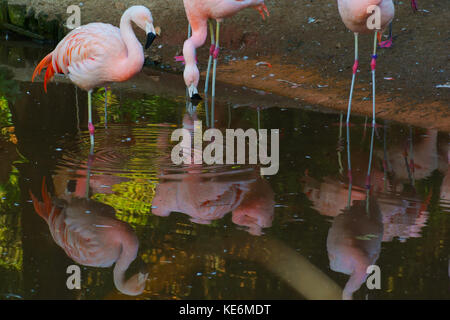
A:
{"x":90,"y":234}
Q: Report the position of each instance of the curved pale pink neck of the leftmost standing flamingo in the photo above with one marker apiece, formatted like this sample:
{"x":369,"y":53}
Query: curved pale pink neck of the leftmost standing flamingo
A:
{"x":134,"y":59}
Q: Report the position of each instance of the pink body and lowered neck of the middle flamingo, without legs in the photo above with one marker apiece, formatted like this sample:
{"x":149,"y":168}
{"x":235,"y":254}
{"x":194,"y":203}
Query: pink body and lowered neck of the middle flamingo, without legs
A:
{"x":198,"y":12}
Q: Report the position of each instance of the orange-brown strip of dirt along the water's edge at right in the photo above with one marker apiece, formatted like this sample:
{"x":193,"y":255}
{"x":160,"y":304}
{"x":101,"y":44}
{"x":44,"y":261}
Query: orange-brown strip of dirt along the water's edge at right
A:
{"x":332,"y":94}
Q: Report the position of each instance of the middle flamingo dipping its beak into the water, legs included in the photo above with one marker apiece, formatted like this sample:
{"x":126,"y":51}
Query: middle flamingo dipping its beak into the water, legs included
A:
{"x":198,"y":13}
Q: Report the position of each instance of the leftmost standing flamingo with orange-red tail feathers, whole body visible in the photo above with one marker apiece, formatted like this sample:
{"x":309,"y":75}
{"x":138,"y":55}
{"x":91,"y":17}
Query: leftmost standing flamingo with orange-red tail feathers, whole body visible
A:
{"x":96,"y":54}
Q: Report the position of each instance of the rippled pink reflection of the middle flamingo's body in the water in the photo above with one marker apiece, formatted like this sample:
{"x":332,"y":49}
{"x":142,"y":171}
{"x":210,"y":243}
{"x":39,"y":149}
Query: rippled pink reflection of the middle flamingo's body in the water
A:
{"x":209,"y":193}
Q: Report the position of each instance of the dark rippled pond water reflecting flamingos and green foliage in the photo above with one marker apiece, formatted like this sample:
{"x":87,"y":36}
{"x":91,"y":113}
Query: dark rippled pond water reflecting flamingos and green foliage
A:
{"x":220,"y":232}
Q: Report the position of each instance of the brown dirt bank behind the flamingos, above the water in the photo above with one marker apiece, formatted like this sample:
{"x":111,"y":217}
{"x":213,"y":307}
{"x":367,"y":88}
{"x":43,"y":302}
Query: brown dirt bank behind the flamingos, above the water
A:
{"x":311,"y":54}
